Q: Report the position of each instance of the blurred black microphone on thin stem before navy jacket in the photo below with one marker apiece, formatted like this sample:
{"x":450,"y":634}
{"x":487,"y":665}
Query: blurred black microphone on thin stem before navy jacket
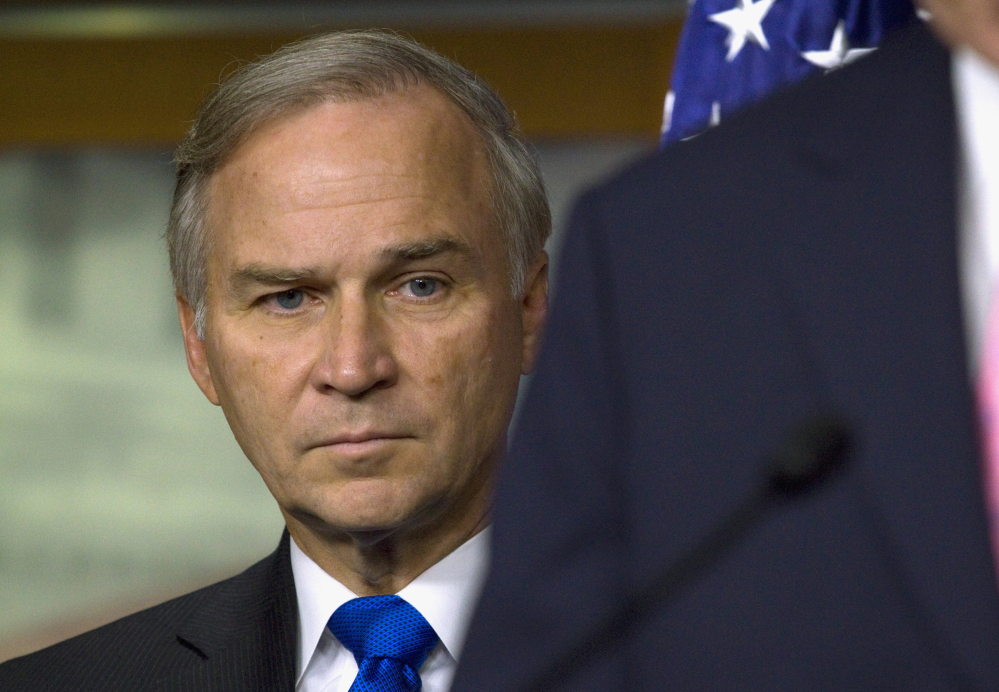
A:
{"x":810,"y":453}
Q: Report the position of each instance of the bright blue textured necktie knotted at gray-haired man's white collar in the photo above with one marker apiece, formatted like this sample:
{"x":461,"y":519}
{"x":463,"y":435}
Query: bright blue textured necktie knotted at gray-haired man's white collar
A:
{"x":390,"y":640}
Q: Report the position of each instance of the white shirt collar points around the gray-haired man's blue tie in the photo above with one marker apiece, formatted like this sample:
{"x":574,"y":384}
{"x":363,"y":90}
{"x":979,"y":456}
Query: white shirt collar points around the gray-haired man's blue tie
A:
{"x":445,"y":594}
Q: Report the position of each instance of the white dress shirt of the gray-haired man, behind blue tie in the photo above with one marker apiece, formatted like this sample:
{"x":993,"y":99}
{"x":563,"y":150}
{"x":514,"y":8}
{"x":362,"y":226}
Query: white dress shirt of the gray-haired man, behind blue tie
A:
{"x":445,"y":594}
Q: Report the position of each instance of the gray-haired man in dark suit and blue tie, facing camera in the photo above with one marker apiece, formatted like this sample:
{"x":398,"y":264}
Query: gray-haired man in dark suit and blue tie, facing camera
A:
{"x":356,"y":241}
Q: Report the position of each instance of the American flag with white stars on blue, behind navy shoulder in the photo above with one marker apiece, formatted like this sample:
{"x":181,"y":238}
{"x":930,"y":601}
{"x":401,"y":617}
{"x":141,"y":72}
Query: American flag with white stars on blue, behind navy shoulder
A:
{"x":734,"y":52}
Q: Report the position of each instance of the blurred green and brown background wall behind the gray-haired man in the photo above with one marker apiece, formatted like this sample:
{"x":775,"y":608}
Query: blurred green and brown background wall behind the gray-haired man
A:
{"x":120,"y":486}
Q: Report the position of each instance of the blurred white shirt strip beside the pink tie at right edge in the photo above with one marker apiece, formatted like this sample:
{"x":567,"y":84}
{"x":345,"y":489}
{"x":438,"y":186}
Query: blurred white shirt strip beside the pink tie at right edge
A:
{"x":976,"y":96}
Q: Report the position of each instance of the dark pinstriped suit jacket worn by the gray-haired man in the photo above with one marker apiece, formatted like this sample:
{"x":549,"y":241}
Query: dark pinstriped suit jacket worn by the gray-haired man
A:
{"x":239,"y":634}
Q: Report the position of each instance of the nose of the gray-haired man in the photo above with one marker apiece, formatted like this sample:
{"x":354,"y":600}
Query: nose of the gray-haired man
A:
{"x":356,"y":353}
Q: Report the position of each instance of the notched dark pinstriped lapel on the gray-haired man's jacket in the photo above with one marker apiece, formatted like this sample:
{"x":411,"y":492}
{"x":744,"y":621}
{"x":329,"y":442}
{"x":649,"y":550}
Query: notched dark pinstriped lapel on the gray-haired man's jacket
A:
{"x":245,"y":632}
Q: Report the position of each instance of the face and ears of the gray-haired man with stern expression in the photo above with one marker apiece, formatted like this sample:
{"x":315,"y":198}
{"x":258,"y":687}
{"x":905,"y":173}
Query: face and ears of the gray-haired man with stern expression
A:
{"x":361,"y":335}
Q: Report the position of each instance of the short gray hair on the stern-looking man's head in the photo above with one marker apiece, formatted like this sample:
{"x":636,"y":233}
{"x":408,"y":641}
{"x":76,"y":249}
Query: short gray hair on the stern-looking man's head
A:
{"x":338,"y":67}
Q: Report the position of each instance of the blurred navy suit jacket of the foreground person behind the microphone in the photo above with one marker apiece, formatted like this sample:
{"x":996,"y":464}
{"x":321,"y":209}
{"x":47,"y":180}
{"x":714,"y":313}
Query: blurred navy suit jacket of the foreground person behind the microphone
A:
{"x":798,"y":257}
